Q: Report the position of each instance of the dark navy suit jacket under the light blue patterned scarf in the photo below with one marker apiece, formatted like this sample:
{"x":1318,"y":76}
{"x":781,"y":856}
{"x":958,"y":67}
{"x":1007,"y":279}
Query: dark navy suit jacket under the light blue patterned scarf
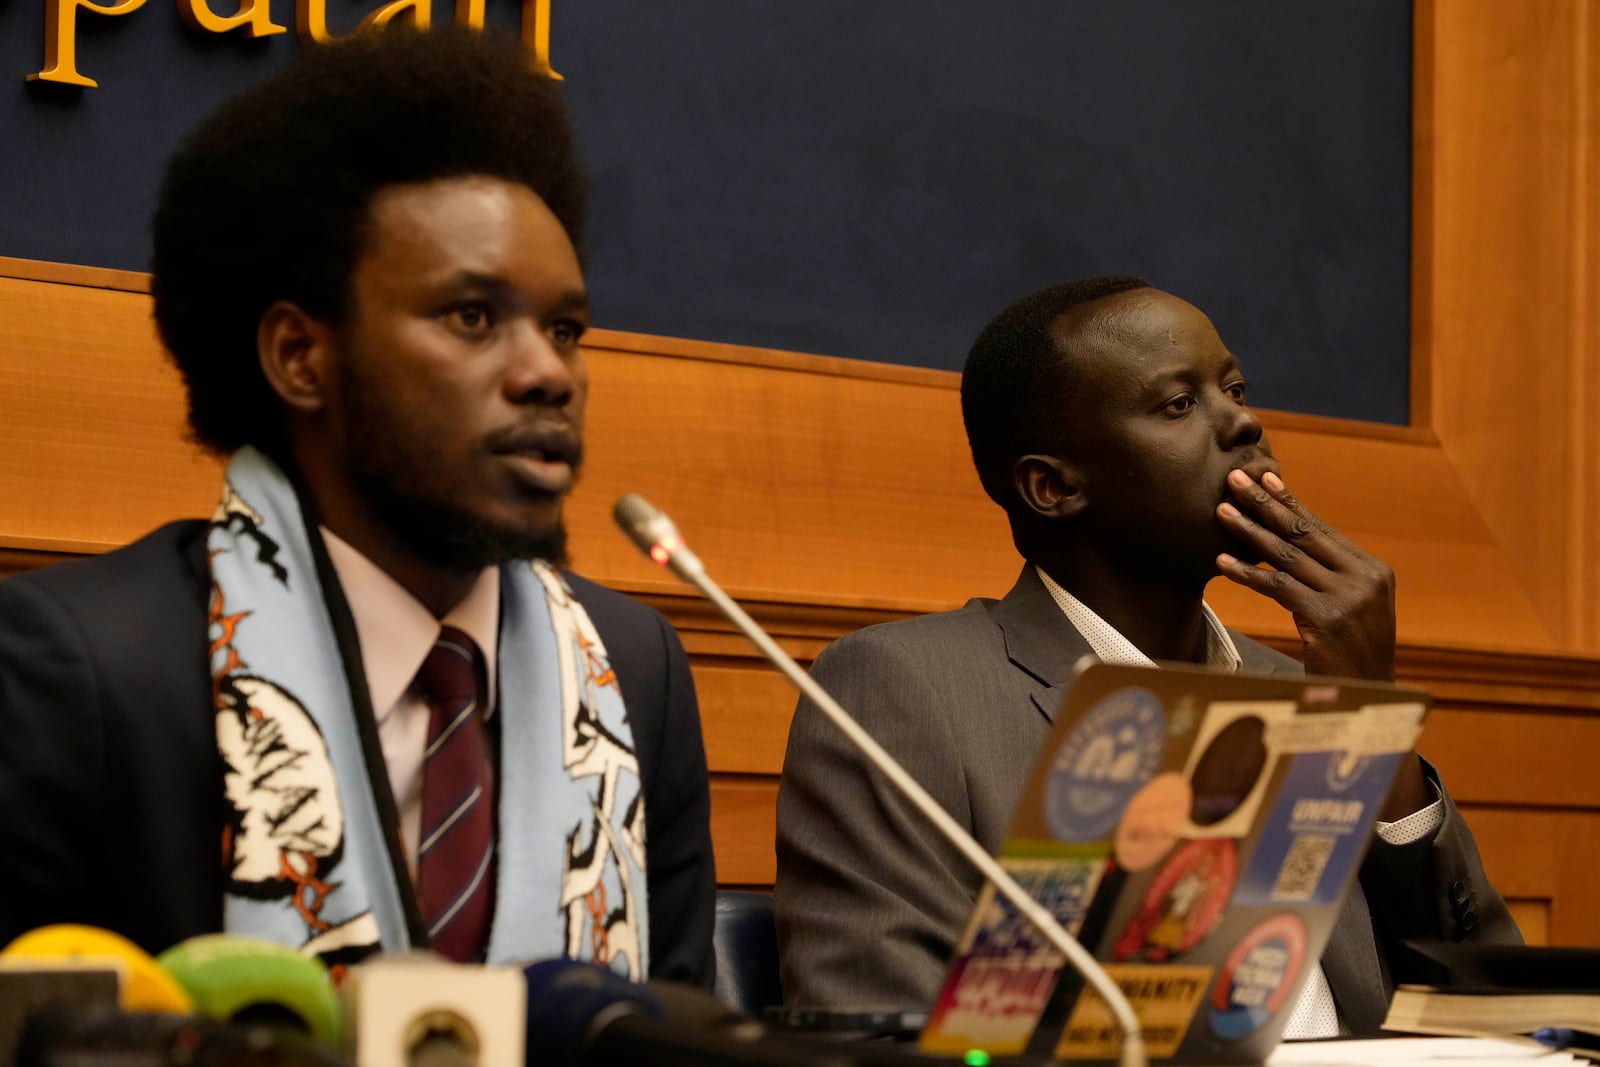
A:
{"x":111,"y":785}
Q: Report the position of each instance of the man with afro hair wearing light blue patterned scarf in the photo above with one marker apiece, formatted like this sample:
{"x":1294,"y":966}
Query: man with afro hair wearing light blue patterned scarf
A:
{"x":364,"y":706}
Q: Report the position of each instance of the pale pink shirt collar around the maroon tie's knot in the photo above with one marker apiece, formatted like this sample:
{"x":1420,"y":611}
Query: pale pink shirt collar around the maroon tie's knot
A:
{"x":398,"y":633}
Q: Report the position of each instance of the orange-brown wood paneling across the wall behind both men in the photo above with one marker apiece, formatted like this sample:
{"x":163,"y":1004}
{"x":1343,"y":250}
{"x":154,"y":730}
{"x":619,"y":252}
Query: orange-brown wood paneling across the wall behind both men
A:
{"x":831,"y":495}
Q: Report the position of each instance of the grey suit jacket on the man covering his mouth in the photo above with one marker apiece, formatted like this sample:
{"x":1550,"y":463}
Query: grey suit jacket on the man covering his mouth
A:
{"x":871,"y":900}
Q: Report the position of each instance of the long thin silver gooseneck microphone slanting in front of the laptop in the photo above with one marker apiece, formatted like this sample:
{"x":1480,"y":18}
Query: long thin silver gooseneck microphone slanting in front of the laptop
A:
{"x":660,"y":540}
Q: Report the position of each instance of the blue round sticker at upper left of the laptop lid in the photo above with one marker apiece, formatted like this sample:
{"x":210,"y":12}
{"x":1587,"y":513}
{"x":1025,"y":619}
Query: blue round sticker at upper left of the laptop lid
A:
{"x":1103,"y":764}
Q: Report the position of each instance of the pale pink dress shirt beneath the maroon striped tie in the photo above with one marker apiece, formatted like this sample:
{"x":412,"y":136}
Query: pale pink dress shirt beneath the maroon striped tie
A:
{"x":398,"y":634}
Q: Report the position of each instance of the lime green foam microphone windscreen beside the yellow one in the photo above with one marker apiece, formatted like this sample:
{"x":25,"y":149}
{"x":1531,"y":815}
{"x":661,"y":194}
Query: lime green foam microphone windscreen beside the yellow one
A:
{"x":250,"y":980}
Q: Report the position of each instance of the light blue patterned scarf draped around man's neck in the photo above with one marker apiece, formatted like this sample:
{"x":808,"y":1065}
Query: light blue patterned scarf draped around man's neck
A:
{"x":313,"y":850}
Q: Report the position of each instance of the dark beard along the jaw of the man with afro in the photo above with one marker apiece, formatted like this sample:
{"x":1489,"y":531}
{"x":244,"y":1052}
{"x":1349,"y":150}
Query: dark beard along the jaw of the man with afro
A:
{"x":394,"y":473}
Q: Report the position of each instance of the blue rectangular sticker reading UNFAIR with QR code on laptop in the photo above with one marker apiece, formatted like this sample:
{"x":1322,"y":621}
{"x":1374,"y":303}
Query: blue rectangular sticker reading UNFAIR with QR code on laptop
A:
{"x":1313,"y":839}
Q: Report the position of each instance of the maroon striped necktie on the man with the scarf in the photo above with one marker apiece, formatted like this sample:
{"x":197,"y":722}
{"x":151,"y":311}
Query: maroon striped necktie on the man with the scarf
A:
{"x":455,"y":857}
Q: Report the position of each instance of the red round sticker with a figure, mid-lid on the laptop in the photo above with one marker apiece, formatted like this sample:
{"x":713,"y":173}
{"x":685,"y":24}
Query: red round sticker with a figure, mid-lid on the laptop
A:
{"x":1185,"y":903}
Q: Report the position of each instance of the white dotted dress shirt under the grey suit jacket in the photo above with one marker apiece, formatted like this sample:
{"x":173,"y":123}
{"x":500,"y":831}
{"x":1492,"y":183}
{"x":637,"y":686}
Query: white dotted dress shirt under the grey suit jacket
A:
{"x":1316,"y":1015}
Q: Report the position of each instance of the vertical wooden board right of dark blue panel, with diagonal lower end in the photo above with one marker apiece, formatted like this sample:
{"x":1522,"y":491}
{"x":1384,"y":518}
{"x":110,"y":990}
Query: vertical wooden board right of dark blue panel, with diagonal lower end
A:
{"x":1508,"y":242}
